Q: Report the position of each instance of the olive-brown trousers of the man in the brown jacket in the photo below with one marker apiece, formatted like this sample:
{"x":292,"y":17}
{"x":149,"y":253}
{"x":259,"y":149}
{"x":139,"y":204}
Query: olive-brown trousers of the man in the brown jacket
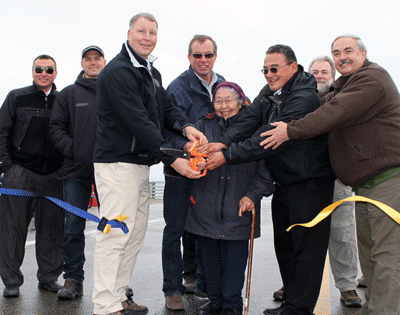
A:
{"x":379,"y":248}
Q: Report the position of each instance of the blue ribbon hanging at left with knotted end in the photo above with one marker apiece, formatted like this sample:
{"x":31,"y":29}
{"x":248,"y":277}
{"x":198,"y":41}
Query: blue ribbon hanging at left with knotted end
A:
{"x":68,"y":207}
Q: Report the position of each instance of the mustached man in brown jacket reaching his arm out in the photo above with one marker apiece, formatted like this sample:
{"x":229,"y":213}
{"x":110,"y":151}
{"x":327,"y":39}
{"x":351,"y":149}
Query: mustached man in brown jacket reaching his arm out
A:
{"x":362,"y":116}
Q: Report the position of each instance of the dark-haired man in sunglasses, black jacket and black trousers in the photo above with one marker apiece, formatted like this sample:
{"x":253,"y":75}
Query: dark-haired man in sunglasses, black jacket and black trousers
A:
{"x":304,"y":180}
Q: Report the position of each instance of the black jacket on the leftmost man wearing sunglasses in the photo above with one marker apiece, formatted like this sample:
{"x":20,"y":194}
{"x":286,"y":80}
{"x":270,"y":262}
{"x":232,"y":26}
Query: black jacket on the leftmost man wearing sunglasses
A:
{"x":24,"y":131}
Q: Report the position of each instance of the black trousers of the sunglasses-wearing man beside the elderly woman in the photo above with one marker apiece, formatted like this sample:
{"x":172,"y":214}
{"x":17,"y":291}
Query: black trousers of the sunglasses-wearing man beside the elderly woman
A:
{"x":301,"y":252}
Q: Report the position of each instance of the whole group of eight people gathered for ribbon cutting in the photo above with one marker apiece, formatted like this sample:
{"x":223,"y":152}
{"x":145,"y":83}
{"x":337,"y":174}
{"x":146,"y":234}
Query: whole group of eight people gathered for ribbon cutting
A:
{"x":305,"y":138}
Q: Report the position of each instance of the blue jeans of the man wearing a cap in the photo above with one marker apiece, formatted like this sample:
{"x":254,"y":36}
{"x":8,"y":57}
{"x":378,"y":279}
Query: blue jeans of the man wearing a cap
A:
{"x":76,"y":192}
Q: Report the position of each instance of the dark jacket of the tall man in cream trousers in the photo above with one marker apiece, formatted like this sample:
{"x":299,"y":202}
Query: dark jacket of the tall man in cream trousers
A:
{"x":132,"y":112}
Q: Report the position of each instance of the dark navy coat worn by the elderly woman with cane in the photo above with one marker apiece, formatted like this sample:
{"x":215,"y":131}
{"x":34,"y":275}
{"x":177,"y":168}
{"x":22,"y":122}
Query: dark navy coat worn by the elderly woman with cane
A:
{"x":215,"y":198}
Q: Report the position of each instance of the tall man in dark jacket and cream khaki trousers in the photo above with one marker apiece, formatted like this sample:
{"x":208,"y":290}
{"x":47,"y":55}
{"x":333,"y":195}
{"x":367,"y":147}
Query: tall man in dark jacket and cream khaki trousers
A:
{"x":132,"y":112}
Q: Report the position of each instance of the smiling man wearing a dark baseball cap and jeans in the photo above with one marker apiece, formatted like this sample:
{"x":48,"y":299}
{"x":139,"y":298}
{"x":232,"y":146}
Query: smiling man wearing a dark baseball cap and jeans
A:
{"x":73,"y":131}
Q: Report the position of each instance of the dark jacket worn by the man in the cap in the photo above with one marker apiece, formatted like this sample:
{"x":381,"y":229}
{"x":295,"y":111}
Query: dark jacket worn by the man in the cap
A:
{"x":73,"y":127}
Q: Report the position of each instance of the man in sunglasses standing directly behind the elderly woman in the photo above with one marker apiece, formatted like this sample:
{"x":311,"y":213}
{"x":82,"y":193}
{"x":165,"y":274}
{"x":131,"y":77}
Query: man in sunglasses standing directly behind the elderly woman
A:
{"x":191,"y":93}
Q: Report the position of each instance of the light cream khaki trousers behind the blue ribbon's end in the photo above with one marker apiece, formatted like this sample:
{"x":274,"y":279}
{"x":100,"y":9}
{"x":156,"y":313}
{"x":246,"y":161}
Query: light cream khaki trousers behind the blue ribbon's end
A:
{"x":123,"y":188}
